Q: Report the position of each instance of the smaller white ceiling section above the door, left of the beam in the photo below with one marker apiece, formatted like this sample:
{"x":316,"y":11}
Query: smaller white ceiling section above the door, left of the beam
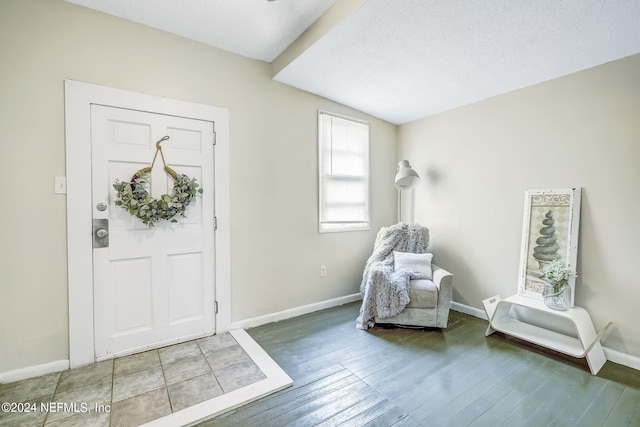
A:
{"x":258,"y":29}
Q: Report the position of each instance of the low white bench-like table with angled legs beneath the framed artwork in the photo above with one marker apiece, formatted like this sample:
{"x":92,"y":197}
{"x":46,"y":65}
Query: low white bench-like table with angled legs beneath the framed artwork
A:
{"x":570,"y":332}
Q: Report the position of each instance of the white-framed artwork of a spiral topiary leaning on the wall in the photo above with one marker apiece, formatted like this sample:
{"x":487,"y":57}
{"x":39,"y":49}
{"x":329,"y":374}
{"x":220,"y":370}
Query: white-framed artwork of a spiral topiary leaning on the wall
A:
{"x":549,"y":232}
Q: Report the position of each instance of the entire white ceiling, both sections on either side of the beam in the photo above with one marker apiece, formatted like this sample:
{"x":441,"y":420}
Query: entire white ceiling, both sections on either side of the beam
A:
{"x":401,"y":60}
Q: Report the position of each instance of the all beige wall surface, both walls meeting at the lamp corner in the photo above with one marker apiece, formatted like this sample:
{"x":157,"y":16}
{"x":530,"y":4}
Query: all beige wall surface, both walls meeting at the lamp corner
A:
{"x":476,"y":162}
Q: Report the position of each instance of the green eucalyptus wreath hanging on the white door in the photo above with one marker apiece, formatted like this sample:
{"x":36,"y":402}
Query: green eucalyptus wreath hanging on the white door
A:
{"x":135,"y":198}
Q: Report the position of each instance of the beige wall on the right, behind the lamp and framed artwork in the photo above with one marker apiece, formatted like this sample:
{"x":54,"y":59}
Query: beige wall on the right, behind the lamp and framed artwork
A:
{"x":581,"y":130}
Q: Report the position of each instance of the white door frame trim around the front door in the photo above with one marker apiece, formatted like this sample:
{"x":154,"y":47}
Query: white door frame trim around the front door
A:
{"x":78,"y":99}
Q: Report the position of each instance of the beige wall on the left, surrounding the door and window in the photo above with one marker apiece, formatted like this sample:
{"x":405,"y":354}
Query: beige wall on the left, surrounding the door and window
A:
{"x":276,"y":249}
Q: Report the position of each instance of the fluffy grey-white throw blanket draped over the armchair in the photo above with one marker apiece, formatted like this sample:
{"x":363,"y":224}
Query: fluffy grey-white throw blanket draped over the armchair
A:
{"x":385,"y":292}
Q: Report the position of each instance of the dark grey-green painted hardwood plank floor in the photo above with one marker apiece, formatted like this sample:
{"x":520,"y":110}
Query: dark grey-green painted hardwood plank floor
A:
{"x":450,"y":377}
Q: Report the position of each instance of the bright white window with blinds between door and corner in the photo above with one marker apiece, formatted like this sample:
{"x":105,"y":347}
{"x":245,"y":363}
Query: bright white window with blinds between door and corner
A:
{"x":343,"y":152}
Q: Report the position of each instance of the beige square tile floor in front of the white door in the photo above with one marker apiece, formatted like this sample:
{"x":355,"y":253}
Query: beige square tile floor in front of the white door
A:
{"x":132,"y":390}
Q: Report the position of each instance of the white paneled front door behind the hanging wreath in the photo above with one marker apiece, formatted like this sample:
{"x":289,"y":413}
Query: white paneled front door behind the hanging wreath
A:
{"x":152,"y":286}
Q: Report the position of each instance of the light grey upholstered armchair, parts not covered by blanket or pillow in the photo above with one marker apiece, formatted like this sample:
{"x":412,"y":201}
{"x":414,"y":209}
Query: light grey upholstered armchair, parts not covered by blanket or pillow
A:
{"x":430,"y":300}
